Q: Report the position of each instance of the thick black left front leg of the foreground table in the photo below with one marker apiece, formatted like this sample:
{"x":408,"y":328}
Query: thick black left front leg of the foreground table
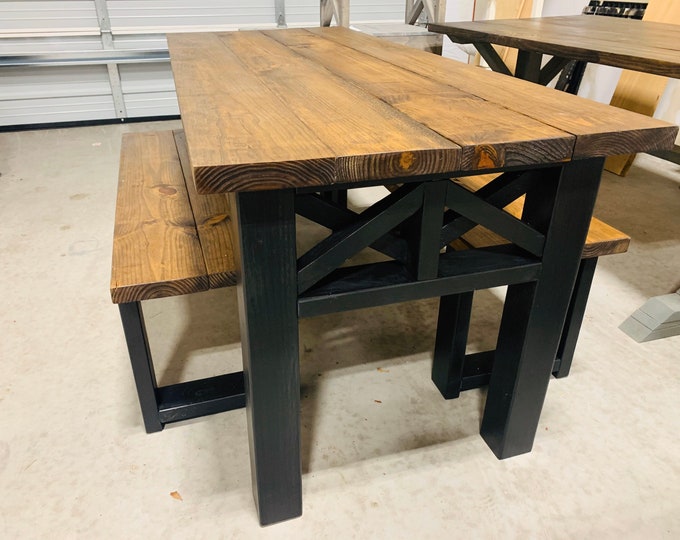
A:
{"x":267,"y":297}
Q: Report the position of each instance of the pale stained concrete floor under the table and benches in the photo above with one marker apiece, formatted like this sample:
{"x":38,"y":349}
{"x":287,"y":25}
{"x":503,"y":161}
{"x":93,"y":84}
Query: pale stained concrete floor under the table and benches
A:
{"x":383,"y":455}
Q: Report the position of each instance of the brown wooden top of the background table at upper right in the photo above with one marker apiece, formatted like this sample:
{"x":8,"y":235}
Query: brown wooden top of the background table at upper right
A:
{"x":627,"y":43}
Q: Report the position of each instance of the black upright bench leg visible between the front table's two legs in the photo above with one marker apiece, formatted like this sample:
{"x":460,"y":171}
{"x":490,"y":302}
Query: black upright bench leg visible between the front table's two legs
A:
{"x":453,"y":324}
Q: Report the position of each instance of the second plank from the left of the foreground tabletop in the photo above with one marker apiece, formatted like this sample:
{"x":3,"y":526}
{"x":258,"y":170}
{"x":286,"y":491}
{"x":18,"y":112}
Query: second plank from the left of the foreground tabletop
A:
{"x":369,"y":137}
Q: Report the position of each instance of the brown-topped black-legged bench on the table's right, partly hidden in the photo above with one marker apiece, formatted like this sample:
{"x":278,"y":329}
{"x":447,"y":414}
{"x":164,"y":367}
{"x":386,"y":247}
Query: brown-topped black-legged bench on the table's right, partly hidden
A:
{"x":453,"y":371}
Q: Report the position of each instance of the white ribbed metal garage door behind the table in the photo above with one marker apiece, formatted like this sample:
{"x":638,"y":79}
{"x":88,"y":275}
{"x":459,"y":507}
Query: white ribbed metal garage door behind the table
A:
{"x":51,"y":94}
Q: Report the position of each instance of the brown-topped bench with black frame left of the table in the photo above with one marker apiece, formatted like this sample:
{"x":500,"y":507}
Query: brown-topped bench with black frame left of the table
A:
{"x":168,"y":241}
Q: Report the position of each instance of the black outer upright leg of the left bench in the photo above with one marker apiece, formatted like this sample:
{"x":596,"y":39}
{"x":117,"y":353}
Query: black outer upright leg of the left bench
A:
{"x":142,"y":365}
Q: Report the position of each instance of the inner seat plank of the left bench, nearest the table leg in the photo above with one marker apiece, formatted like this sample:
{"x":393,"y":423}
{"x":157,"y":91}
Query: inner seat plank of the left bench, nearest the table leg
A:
{"x":212,"y":216}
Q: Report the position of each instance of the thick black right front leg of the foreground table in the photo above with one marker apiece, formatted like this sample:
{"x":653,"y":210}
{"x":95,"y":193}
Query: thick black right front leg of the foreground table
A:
{"x":534,"y":313}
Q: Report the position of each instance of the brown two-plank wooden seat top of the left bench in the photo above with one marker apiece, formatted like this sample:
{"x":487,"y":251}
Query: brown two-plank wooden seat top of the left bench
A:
{"x":167,"y":239}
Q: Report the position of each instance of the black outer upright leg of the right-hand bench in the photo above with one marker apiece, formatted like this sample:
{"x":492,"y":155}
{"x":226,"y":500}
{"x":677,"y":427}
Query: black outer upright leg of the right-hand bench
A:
{"x":577,"y":309}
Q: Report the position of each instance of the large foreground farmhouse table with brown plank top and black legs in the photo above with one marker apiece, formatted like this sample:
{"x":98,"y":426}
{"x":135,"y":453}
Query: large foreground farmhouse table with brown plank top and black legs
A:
{"x":279,"y":118}
